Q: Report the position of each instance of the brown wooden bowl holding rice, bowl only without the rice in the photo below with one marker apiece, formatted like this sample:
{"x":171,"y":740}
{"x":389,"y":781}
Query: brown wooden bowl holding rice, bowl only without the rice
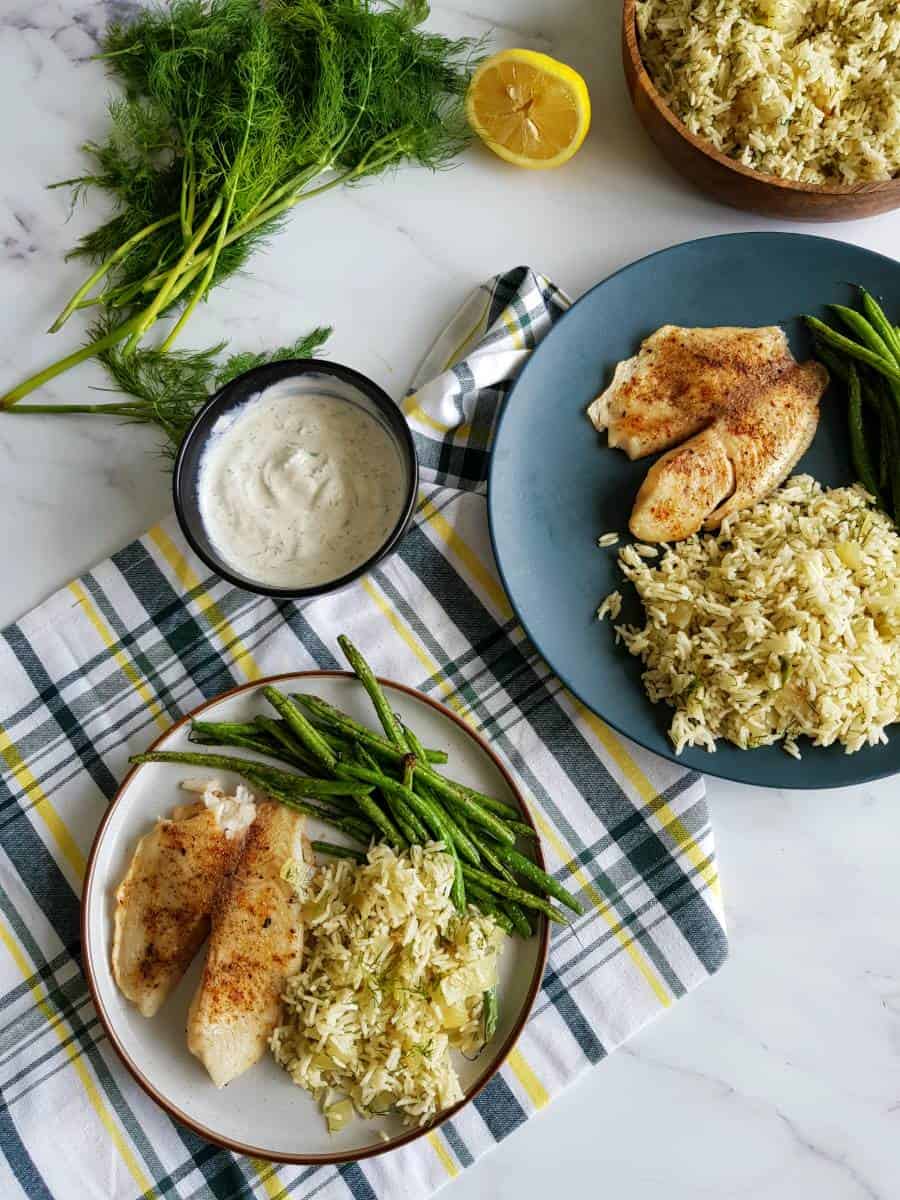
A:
{"x":730,"y":182}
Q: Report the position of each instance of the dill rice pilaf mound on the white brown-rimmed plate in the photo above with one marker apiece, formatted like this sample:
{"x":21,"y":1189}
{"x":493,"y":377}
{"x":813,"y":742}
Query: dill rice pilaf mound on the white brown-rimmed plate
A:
{"x":393,"y":980}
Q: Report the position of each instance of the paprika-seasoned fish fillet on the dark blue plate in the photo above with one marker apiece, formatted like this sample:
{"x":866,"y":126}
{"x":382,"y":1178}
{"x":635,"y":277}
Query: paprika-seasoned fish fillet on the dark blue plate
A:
{"x":735,"y":404}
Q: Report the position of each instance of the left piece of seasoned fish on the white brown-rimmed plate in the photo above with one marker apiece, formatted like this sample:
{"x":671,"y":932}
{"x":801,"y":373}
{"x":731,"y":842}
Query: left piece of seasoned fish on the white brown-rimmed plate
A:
{"x":164,"y":904}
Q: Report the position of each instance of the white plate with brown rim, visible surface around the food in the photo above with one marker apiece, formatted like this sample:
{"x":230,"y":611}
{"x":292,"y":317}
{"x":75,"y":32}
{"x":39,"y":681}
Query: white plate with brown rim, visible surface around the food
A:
{"x":263,"y":1114}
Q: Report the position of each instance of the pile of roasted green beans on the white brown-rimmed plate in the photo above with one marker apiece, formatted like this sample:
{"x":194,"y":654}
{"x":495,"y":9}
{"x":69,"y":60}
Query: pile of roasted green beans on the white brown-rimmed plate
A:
{"x":383,"y":789}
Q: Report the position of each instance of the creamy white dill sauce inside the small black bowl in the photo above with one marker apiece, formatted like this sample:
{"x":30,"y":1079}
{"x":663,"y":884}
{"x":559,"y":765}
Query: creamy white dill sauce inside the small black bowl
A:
{"x":298,"y":489}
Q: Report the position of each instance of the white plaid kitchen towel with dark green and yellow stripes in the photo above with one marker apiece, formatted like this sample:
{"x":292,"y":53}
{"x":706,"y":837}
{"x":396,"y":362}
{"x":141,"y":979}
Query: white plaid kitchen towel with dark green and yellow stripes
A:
{"x":100,"y":669}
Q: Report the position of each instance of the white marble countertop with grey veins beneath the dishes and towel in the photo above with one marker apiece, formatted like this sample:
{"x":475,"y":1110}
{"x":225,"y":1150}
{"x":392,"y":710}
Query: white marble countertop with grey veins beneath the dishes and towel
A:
{"x":781,"y":1079}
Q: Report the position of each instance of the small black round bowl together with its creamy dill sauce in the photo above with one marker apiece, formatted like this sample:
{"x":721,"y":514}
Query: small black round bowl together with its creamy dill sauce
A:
{"x":296,"y":479}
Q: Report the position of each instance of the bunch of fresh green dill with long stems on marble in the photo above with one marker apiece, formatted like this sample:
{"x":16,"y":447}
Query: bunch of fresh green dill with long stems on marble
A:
{"x":232,"y":113}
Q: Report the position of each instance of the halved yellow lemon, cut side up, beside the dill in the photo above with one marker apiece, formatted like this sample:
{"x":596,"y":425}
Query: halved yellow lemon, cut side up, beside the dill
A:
{"x":530,"y":109}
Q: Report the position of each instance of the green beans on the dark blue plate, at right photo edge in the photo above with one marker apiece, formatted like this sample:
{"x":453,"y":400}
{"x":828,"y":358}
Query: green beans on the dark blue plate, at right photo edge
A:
{"x":869,"y":367}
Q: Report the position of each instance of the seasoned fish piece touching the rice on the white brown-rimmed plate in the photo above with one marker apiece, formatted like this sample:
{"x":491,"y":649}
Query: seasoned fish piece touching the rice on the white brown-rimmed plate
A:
{"x":256,"y":944}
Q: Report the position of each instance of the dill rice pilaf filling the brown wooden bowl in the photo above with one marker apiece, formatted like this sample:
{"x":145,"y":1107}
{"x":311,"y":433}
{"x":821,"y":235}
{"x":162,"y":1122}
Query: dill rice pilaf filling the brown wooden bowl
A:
{"x":808,"y":91}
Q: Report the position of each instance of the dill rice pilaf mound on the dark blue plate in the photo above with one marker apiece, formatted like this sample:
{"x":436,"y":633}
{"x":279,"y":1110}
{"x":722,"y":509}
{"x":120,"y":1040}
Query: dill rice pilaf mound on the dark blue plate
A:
{"x":785,"y":622}
